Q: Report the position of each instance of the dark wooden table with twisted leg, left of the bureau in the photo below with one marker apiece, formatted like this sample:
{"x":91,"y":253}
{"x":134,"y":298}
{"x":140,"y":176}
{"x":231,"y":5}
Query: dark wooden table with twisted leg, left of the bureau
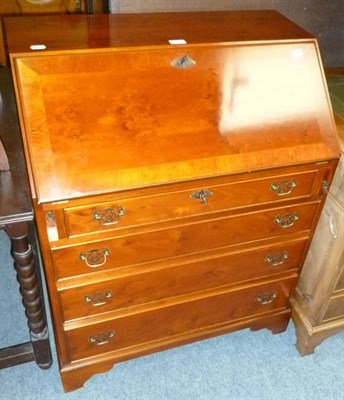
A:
{"x":17,"y":220}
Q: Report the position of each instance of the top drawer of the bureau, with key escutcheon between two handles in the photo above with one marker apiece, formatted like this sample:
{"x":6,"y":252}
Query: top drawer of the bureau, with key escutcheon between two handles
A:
{"x":154,"y":205}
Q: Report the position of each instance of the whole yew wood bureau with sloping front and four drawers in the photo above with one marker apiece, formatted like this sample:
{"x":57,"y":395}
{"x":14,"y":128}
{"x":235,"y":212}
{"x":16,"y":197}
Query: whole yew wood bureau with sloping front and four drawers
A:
{"x":178,"y":164}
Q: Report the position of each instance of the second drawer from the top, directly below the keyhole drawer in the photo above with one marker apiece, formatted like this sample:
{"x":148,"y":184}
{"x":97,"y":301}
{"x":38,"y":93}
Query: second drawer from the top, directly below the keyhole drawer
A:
{"x":186,"y":239}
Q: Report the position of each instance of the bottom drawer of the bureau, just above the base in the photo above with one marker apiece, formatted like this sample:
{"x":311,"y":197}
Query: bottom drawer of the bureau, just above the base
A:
{"x":171,"y":321}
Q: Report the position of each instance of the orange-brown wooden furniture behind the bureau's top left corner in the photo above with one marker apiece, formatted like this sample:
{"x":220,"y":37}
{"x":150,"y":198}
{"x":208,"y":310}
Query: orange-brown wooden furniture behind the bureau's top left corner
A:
{"x":25,"y":7}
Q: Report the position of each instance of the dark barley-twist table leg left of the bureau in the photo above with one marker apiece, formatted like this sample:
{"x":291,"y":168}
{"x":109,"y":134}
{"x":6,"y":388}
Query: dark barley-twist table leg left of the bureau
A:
{"x":24,"y":263}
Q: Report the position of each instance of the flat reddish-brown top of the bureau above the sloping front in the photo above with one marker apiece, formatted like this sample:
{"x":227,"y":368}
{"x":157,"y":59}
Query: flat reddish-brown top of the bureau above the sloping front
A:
{"x":61,"y":32}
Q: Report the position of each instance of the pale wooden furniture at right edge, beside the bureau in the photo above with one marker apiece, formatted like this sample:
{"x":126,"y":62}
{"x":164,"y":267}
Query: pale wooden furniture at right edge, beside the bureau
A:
{"x":318,"y":301}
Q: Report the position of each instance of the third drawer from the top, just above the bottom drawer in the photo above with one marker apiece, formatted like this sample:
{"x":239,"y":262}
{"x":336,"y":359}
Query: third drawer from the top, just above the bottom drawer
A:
{"x":175,"y":279}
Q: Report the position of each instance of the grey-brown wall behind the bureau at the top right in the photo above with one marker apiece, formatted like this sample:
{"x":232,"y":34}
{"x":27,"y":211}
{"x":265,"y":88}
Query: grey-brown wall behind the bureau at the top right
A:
{"x":323,"y":18}
